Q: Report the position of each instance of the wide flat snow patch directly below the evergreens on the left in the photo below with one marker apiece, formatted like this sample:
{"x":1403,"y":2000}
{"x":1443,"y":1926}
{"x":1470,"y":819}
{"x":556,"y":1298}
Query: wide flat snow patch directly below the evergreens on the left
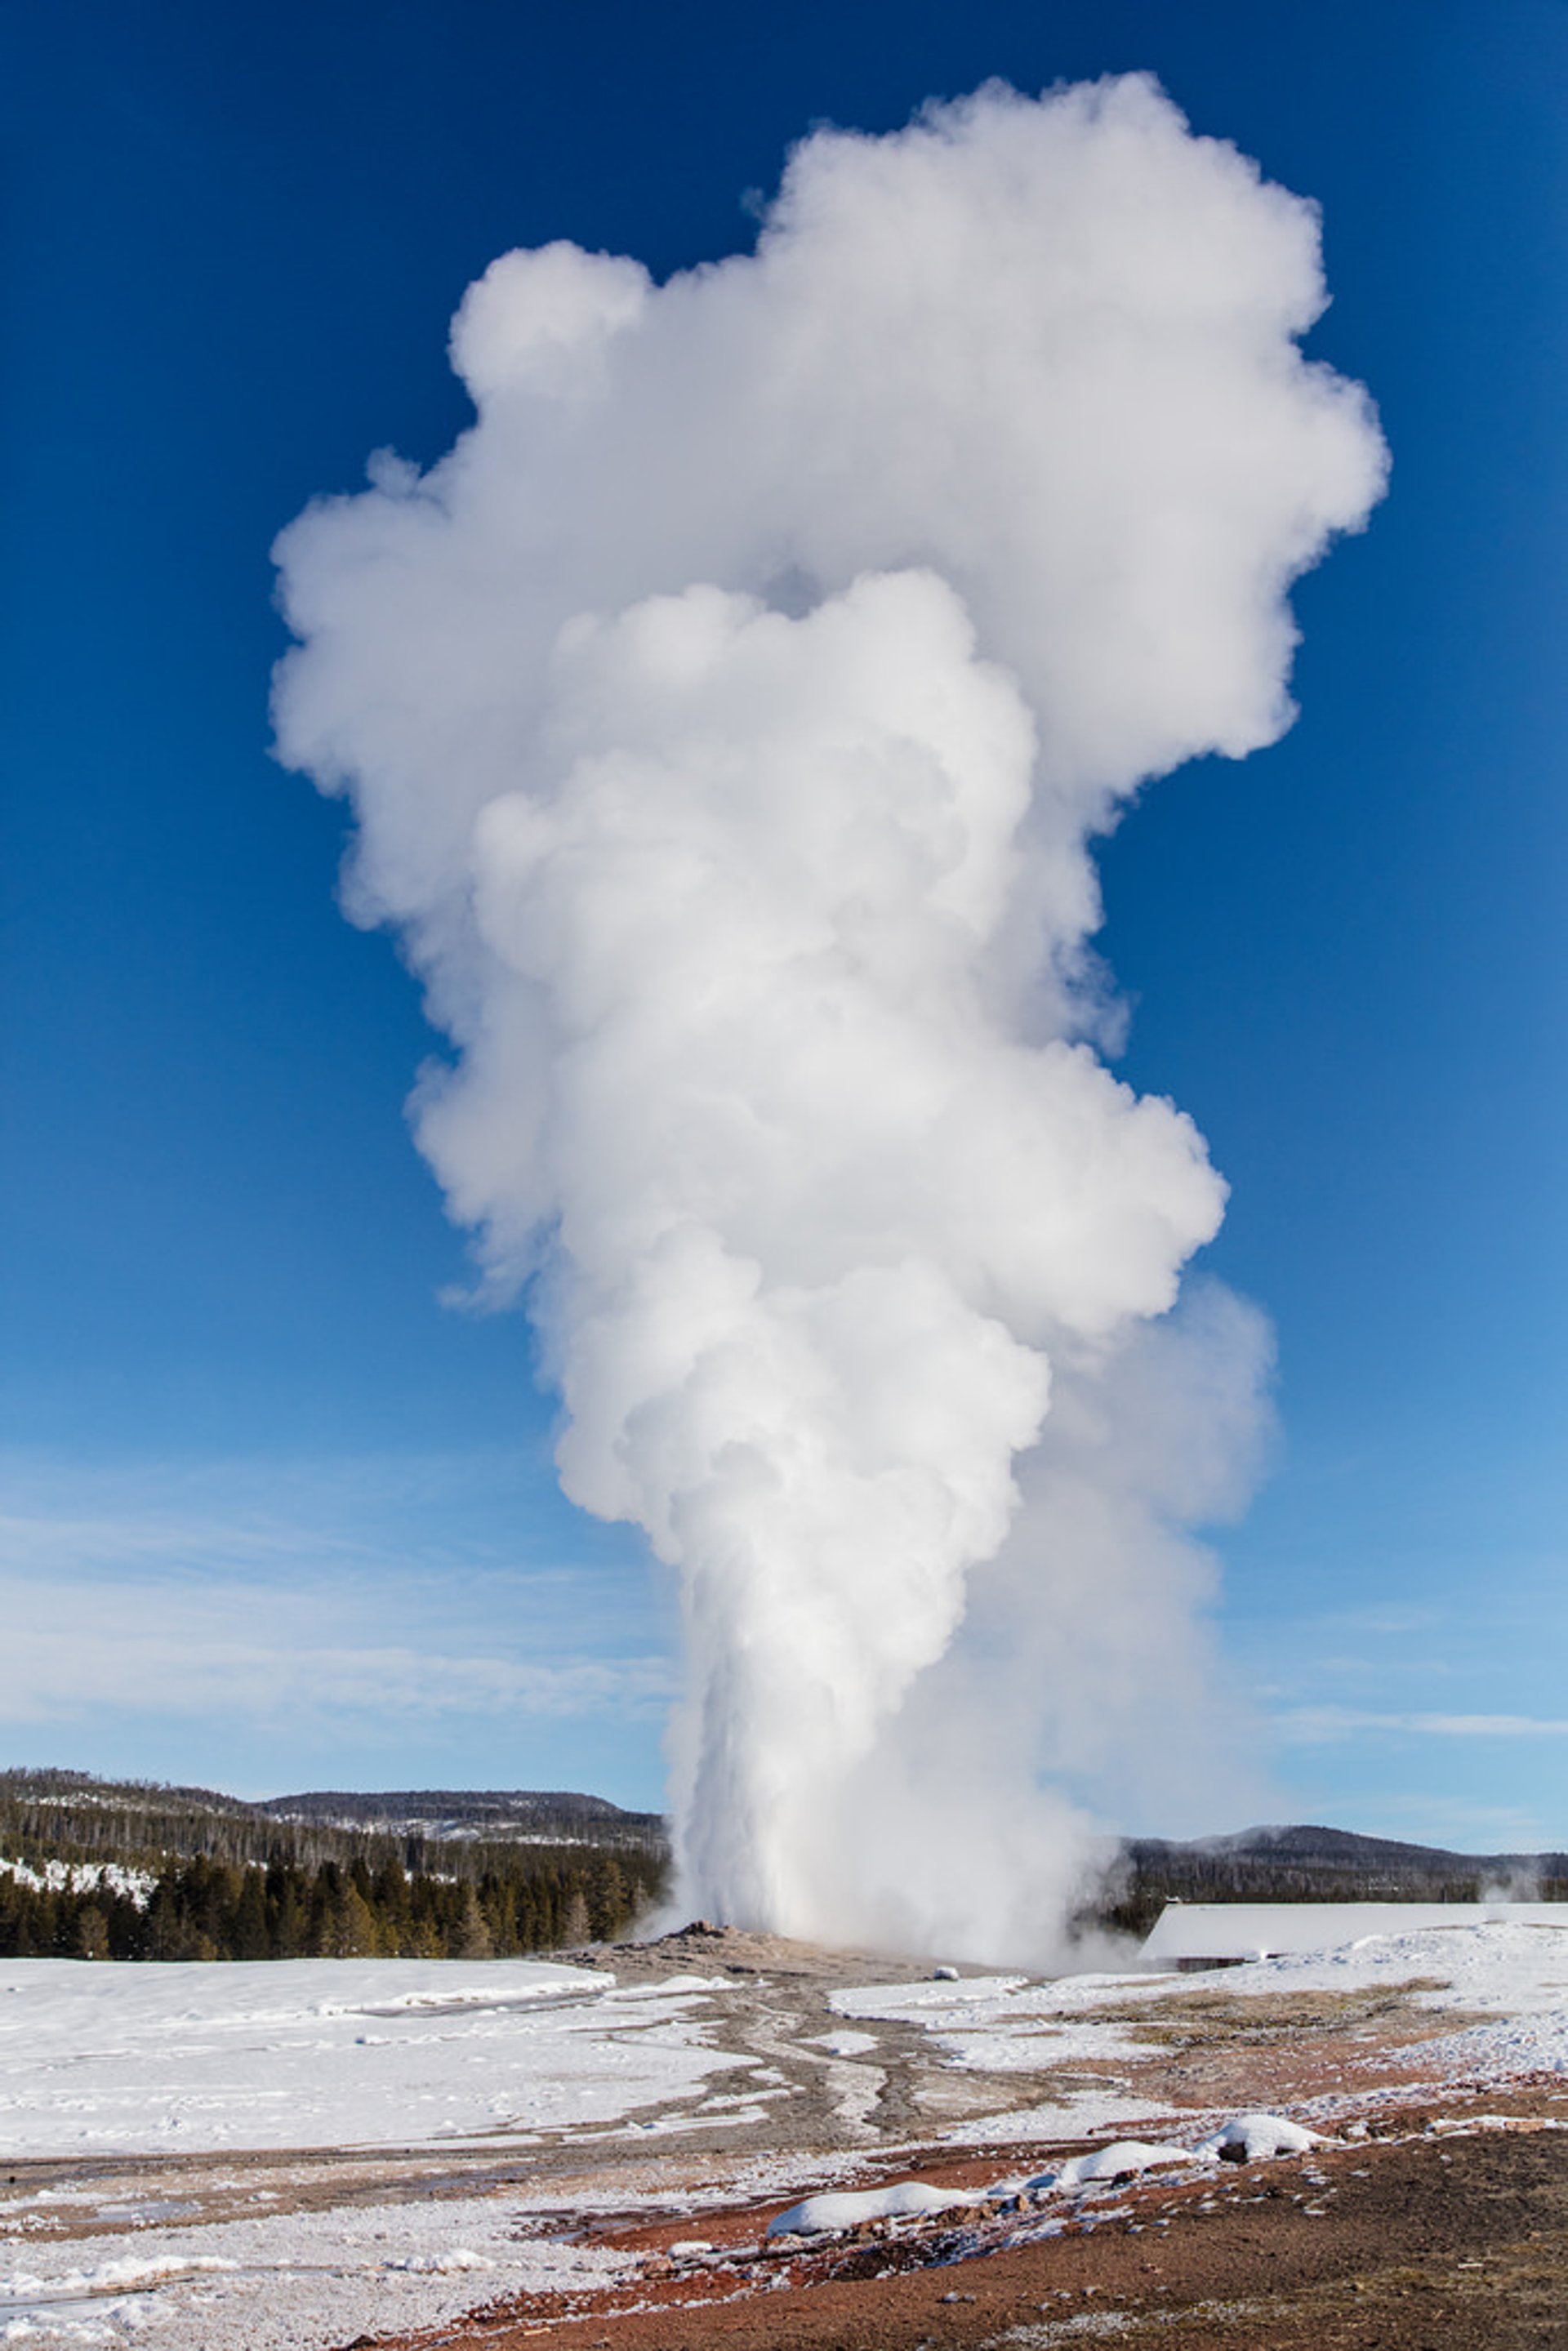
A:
{"x":330,"y":2054}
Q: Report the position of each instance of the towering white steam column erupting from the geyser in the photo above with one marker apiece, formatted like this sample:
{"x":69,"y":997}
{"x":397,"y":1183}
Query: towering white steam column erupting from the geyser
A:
{"x":728,"y":721}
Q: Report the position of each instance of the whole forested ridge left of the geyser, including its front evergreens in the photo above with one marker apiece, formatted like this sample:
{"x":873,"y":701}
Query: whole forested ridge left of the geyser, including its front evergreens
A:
{"x":133,"y":1870}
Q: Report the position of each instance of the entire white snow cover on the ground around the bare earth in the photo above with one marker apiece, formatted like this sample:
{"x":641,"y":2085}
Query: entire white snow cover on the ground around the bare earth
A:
{"x":168,"y":2061}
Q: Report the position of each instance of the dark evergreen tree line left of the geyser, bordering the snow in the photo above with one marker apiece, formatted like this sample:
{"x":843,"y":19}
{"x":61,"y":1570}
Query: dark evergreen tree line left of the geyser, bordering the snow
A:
{"x":201,"y":1908}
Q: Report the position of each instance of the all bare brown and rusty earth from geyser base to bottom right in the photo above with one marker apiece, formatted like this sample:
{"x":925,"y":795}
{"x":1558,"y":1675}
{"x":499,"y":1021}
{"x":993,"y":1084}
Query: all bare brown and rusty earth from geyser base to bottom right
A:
{"x":1428,"y":2223}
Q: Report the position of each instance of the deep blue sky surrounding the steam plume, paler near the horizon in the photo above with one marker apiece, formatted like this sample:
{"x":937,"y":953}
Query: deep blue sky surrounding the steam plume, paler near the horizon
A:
{"x":274,"y":1515}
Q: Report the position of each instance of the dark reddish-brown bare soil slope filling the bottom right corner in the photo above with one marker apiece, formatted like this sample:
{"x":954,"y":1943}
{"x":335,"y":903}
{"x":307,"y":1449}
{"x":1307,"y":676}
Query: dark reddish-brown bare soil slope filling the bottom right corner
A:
{"x":1440,"y":2232}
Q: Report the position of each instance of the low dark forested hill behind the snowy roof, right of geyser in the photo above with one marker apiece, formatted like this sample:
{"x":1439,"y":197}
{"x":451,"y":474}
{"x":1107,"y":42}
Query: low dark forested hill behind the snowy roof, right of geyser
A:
{"x":1313,"y":1866}
